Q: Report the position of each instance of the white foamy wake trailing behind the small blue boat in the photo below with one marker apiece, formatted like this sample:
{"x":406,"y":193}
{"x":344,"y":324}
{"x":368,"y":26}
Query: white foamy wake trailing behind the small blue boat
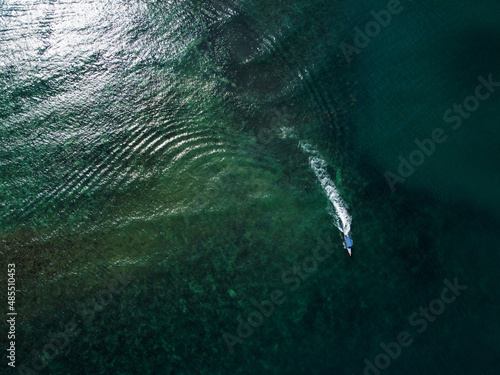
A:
{"x":338,"y":209}
